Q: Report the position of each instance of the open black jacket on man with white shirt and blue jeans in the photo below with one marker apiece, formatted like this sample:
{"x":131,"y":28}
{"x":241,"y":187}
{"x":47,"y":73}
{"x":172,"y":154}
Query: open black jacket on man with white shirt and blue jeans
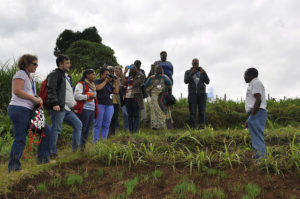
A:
{"x":56,"y":89}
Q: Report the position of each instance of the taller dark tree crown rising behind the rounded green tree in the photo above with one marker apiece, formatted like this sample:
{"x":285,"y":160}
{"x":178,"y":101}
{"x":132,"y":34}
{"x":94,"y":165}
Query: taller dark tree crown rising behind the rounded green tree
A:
{"x":67,"y":37}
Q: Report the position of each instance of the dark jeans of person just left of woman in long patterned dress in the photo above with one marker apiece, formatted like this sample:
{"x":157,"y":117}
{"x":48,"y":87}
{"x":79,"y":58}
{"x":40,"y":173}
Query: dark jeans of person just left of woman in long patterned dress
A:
{"x":133,"y":114}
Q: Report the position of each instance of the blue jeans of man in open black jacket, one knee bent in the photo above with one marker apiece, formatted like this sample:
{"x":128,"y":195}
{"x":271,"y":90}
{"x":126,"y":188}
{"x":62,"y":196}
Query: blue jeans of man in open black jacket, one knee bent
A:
{"x":57,"y":118}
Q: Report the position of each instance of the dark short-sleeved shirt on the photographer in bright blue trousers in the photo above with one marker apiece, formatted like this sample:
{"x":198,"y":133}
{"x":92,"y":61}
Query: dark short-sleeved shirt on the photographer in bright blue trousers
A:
{"x":105,"y":94}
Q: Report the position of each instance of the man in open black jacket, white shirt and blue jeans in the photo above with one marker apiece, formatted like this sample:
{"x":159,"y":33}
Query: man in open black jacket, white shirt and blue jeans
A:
{"x":60,"y":100}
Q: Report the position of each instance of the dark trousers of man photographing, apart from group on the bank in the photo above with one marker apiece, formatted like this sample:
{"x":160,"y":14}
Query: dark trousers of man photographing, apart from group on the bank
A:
{"x":197,"y":100}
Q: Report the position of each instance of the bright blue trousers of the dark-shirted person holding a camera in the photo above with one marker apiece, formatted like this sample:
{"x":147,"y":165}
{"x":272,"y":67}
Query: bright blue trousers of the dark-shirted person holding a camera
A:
{"x":102,"y":122}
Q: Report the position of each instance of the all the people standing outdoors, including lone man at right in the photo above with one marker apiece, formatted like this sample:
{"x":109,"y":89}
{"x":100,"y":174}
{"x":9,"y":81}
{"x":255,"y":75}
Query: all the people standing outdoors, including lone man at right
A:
{"x":98,"y":101}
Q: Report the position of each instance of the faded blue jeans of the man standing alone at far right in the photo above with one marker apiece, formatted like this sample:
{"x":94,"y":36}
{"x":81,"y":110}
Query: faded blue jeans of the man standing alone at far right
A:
{"x":256,"y":124}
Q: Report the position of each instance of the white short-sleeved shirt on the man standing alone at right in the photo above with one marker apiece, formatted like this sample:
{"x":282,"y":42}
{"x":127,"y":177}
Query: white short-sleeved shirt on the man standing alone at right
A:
{"x":255,"y":86}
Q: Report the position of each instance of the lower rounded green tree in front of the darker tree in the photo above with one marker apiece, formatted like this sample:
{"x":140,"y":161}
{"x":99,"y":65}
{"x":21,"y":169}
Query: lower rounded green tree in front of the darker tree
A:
{"x":86,"y":54}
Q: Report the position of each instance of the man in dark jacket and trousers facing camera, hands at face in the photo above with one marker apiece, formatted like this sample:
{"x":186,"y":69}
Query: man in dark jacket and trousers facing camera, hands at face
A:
{"x":196,"y":78}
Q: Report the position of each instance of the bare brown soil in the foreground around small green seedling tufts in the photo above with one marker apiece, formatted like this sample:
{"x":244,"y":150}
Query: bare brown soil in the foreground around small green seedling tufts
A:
{"x":111,"y":183}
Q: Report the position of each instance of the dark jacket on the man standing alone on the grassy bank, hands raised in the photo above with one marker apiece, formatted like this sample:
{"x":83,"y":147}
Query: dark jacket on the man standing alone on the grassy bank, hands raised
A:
{"x":201,"y":87}
